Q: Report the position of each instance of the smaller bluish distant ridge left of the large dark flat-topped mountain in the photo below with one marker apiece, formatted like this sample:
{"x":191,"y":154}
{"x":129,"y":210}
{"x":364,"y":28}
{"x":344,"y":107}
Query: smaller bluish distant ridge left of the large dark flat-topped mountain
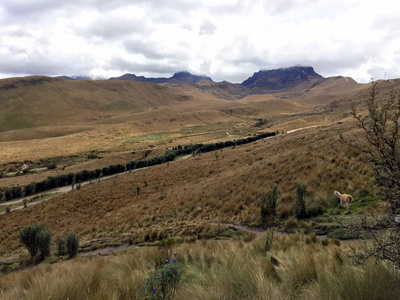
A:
{"x":183,"y":77}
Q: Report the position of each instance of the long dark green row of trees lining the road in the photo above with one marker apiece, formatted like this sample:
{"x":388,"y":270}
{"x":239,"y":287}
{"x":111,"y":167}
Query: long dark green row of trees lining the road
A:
{"x":52,"y":182}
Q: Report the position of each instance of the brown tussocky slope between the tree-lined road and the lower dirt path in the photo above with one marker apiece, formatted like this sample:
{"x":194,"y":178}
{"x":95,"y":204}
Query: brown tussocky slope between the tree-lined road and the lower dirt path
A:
{"x":223,"y":186}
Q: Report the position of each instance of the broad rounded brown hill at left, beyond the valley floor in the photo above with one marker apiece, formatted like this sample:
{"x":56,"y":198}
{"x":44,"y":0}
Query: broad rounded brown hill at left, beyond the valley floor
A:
{"x":42,"y":101}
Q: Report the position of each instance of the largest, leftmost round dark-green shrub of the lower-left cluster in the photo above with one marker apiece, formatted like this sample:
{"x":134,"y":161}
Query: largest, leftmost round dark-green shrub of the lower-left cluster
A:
{"x":36,"y":239}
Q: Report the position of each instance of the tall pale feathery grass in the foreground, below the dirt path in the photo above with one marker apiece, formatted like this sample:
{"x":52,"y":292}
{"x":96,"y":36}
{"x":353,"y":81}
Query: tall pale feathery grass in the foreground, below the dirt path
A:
{"x":302,"y":268}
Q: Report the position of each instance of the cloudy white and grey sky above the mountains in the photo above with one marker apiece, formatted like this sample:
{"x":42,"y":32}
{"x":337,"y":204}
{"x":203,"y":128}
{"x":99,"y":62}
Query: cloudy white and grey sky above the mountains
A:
{"x":224,"y":39}
